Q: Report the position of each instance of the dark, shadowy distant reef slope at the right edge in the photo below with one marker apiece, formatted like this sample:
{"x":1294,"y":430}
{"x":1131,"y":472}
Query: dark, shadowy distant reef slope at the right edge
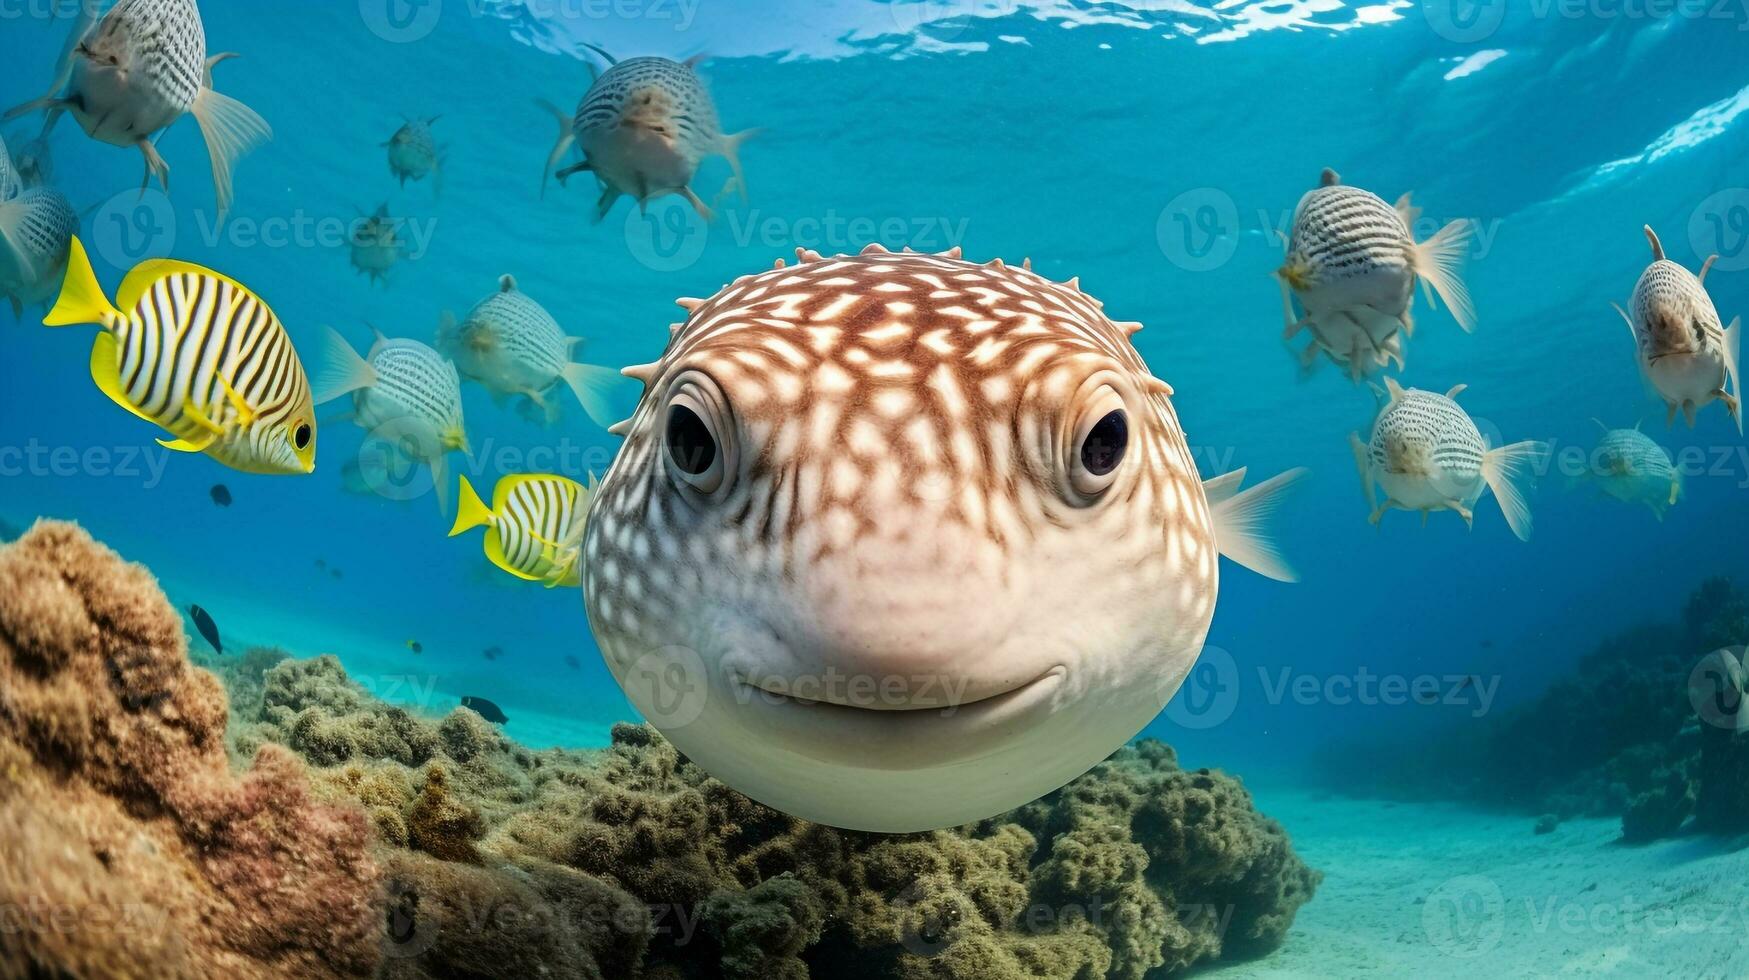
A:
{"x":1650,"y":729}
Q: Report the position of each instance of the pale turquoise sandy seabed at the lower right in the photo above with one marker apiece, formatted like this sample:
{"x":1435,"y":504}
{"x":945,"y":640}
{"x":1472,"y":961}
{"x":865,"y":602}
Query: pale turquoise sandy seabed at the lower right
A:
{"x":1433,"y":890}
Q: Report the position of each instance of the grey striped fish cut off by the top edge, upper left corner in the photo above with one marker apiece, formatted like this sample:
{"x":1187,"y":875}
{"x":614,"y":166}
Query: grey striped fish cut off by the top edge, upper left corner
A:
{"x":139,"y":69}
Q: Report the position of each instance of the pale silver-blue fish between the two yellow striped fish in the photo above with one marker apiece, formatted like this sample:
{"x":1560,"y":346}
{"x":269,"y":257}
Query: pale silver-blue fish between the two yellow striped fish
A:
{"x":405,"y":395}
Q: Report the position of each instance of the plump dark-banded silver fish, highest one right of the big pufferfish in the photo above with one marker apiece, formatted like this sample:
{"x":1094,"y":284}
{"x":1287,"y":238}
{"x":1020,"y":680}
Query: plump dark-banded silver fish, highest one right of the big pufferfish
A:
{"x":1353,"y":263}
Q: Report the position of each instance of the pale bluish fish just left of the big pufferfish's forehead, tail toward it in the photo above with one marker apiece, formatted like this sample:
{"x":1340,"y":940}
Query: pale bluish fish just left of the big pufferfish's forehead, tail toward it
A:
{"x":513,"y":347}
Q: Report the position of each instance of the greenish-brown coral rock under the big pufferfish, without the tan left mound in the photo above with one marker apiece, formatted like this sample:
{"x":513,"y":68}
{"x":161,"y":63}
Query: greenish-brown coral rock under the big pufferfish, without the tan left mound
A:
{"x":1136,"y":869}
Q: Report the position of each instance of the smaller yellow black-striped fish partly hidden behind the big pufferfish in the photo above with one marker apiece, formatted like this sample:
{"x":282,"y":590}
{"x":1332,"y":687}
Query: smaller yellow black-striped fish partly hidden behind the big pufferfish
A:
{"x":534,"y":526}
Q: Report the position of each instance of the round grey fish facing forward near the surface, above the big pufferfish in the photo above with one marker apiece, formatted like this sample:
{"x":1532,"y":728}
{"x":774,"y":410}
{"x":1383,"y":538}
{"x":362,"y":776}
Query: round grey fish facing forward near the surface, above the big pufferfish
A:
{"x":645,"y":127}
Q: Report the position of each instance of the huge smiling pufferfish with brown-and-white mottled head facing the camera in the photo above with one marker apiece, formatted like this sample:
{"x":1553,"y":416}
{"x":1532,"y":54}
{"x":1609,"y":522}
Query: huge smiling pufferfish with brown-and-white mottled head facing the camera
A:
{"x":938,"y":531}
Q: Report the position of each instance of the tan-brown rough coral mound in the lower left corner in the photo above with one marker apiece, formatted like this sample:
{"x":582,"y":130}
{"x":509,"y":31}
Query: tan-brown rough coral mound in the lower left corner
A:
{"x":118,"y":806}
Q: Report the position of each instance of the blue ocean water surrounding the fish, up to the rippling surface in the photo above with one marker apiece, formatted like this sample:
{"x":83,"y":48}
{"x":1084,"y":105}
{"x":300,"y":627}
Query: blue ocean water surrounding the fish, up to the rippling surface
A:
{"x":1152,"y":150}
